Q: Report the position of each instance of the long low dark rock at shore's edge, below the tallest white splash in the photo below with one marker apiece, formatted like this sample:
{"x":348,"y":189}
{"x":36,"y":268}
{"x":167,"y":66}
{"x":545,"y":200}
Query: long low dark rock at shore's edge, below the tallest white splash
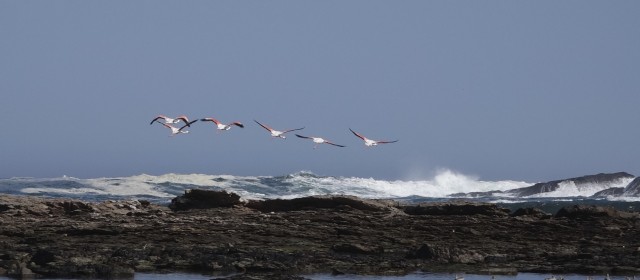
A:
{"x":456,"y":209}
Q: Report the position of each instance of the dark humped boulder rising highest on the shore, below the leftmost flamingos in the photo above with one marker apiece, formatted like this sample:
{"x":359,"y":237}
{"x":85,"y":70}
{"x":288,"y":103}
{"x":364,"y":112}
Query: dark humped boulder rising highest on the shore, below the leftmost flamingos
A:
{"x":203,"y":199}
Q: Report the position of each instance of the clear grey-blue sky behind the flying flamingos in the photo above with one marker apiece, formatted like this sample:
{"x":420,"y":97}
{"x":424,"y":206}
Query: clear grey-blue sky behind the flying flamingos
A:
{"x":499,"y":90}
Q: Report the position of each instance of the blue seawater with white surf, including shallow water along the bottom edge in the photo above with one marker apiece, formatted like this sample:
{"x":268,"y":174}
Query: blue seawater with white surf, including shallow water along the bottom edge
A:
{"x":444,"y":186}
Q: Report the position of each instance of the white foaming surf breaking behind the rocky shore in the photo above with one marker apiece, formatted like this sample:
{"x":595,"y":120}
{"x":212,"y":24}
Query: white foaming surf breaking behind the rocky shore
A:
{"x":162,"y":188}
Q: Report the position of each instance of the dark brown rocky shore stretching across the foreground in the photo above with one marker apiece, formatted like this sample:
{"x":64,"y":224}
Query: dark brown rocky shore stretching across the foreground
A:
{"x":216,"y":232}
